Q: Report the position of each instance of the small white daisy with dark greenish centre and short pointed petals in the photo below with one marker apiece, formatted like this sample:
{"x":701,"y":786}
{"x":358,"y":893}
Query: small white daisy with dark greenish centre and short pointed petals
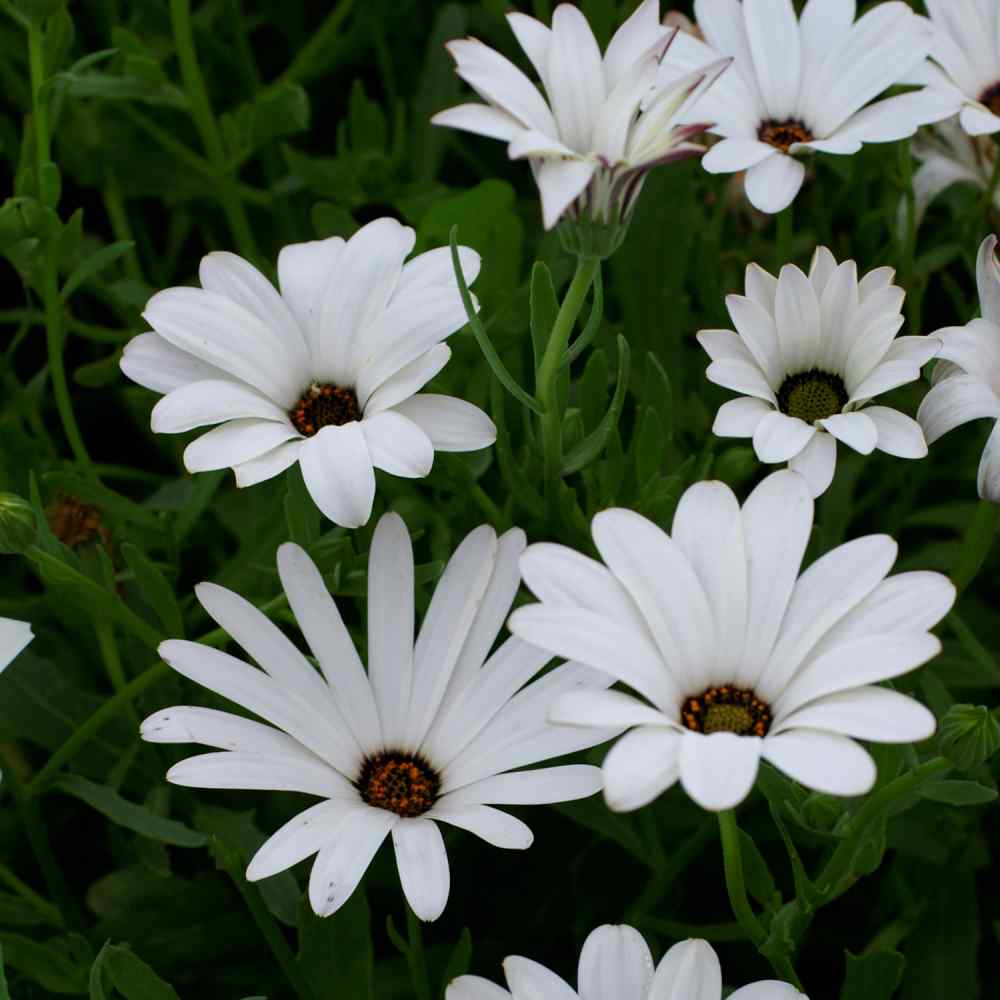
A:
{"x":809,"y":355}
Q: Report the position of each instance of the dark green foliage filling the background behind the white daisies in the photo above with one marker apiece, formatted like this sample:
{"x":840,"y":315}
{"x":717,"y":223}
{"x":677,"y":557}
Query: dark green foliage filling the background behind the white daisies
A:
{"x":318,"y":122}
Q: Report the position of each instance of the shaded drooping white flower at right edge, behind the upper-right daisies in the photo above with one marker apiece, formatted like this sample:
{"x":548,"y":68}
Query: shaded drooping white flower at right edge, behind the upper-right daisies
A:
{"x":948,"y":155}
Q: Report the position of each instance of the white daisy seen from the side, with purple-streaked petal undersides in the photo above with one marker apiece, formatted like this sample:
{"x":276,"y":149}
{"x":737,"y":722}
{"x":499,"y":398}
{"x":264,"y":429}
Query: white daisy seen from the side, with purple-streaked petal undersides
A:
{"x":604,"y":125}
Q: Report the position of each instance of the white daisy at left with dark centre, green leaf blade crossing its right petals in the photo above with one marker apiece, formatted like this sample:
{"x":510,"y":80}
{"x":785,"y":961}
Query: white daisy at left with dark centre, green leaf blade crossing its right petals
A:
{"x":327,"y":374}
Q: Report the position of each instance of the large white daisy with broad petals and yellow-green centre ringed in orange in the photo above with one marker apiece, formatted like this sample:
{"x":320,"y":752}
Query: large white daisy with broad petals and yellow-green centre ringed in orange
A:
{"x":738,"y":657}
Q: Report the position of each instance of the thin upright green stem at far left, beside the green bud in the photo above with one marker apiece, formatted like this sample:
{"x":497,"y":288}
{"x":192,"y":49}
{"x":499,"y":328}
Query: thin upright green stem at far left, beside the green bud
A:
{"x":50,"y":273}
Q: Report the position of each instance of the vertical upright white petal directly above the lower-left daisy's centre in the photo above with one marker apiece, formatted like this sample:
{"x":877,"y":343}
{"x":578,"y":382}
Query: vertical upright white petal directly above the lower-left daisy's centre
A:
{"x":390,"y":624}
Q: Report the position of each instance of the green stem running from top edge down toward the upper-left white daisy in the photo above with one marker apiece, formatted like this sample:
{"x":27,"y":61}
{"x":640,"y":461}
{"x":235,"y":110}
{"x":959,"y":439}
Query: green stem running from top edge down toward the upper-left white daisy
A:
{"x":208,"y":128}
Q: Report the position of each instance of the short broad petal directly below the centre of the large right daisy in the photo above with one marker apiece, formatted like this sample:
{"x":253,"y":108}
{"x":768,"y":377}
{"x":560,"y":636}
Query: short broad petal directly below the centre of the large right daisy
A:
{"x":718,"y":770}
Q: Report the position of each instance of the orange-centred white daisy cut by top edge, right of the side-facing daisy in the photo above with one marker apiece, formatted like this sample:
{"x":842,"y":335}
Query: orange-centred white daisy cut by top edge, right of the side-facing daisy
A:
{"x":803,"y":85}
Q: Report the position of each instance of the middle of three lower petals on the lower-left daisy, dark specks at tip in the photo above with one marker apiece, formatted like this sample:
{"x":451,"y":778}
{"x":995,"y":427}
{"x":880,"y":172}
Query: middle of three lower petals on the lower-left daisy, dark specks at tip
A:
{"x":342,"y":862}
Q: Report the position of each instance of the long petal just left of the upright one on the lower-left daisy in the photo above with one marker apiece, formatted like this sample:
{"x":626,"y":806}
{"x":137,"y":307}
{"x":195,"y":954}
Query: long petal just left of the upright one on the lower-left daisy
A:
{"x":330,"y":642}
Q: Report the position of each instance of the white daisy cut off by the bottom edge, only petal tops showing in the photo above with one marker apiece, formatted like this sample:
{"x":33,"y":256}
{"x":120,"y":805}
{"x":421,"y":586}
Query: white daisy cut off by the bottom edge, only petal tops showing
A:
{"x":616,"y":964}
